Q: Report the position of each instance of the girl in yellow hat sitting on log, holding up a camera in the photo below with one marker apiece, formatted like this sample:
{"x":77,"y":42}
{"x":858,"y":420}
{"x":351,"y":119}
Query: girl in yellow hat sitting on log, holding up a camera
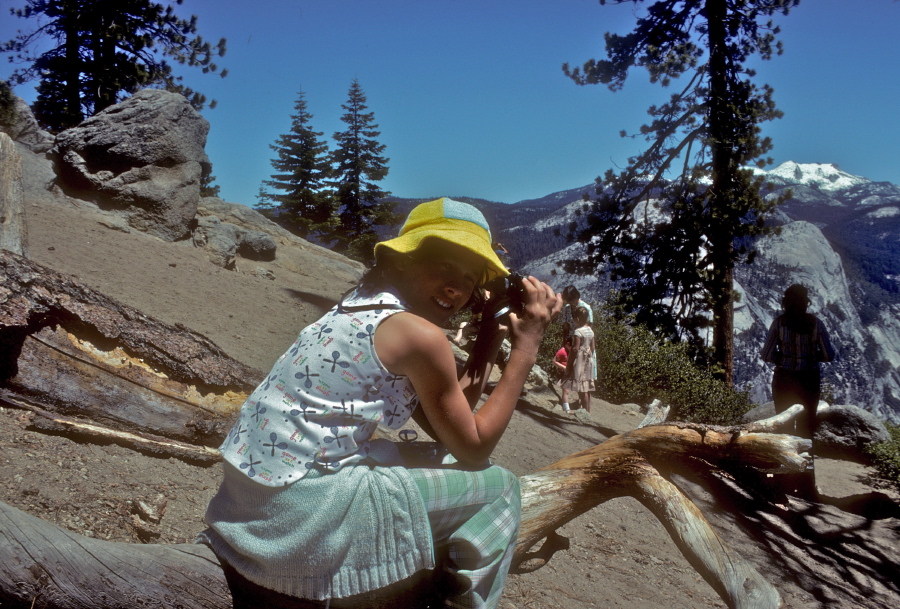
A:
{"x":311,"y":506}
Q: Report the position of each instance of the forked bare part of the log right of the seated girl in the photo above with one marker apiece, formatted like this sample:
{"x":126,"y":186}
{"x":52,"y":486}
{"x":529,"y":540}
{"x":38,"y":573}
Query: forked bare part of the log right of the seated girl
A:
{"x":623,"y":466}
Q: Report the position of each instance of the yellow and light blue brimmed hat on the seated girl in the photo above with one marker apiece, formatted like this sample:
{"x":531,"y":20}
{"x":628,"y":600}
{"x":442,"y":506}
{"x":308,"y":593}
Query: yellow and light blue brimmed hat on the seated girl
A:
{"x":452,"y":221}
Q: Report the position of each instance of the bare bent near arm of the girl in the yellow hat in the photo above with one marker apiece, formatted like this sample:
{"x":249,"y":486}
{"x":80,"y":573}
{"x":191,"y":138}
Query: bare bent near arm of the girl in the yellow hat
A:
{"x":412,"y":346}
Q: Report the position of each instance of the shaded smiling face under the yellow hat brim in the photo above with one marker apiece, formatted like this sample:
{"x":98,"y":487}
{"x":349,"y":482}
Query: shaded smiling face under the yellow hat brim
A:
{"x":438,"y":279}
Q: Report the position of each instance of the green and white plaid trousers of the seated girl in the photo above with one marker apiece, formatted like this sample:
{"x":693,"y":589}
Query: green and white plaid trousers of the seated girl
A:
{"x":474,"y":518}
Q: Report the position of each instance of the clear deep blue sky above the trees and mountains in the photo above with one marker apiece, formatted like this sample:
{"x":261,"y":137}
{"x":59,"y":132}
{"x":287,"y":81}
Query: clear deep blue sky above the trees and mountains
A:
{"x":470,"y":97}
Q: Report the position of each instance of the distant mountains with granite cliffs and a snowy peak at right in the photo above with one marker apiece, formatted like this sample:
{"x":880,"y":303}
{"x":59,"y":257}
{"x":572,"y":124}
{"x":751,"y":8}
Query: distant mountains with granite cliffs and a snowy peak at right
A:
{"x":840,"y":236}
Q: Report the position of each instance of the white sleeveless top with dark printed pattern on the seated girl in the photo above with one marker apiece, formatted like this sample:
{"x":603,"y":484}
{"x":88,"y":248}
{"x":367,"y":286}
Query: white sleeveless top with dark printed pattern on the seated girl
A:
{"x":323,"y":399}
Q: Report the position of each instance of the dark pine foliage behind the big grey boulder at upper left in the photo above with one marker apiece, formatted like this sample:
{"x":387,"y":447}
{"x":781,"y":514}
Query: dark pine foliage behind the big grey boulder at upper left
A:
{"x":104,"y":49}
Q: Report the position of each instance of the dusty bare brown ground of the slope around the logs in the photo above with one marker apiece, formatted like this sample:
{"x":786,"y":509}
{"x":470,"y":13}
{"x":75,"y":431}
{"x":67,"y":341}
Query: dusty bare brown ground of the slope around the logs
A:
{"x":827,"y":554}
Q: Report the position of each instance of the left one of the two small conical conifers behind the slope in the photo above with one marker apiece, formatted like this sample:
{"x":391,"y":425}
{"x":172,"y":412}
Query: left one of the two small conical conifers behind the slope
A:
{"x":301,"y":202}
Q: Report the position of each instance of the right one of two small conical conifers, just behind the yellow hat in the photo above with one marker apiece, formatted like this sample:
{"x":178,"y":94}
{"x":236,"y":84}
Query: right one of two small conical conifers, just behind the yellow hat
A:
{"x":358,"y":166}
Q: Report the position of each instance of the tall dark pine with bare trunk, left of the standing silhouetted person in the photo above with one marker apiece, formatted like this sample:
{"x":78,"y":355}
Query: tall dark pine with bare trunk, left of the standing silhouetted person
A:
{"x":673,"y":242}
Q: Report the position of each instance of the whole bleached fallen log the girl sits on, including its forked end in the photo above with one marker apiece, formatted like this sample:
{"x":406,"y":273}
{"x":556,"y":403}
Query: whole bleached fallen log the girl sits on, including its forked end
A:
{"x":70,"y":571}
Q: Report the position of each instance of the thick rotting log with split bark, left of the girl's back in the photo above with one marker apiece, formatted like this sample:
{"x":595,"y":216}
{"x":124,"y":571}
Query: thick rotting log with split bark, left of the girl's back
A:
{"x":122,"y":369}
